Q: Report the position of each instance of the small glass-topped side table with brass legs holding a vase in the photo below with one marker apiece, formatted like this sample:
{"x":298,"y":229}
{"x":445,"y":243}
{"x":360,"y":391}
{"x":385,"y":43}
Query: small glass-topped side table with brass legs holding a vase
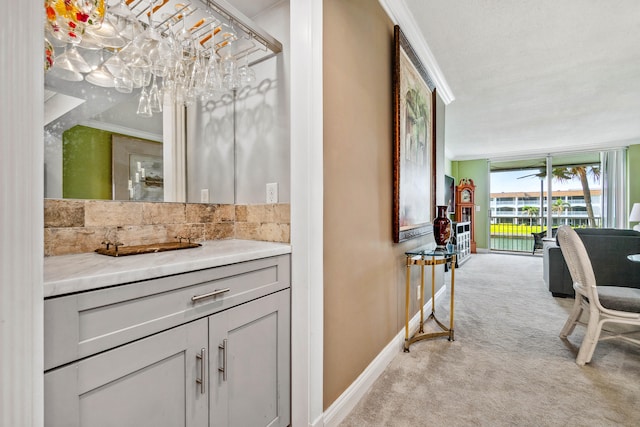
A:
{"x":422,"y":256}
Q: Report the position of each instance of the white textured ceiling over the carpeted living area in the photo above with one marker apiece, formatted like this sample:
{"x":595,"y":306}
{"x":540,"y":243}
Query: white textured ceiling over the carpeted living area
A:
{"x":531,"y":77}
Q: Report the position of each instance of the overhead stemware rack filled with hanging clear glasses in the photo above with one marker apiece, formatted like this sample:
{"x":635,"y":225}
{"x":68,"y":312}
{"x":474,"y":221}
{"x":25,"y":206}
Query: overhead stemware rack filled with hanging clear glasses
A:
{"x":222,"y":44}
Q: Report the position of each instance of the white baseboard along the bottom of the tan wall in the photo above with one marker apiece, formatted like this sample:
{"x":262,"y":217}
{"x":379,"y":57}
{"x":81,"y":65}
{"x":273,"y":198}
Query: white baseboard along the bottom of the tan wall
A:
{"x":344,"y":404}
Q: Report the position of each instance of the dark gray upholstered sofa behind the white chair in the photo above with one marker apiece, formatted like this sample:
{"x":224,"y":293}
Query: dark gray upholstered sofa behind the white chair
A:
{"x":607,"y":248}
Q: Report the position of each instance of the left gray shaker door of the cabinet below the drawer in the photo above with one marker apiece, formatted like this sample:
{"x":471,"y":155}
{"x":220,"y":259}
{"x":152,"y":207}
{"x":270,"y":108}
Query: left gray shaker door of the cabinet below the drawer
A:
{"x":150,"y":382}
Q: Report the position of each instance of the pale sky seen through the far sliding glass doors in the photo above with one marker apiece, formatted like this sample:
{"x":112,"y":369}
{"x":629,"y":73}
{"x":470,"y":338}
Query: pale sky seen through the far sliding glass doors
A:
{"x":524,"y":180}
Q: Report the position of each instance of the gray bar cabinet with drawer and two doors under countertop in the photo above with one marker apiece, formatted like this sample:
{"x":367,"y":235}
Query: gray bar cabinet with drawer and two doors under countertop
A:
{"x":150,"y":354}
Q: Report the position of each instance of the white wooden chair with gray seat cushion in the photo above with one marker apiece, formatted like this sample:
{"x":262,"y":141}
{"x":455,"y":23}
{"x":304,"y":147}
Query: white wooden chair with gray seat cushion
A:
{"x":605,"y":304}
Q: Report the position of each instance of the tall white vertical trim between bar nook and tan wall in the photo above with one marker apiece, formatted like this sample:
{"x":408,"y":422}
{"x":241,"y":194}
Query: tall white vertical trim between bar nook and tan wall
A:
{"x":306,"y":123}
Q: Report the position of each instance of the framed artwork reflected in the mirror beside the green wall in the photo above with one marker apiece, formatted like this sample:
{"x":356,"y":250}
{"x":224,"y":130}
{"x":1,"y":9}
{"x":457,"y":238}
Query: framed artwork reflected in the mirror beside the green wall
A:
{"x":137,"y":169}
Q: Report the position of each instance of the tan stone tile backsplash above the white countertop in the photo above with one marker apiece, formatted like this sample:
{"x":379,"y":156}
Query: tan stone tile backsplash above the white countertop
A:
{"x":77,"y":226}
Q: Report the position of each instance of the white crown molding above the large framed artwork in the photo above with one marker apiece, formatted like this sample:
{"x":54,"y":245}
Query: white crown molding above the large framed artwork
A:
{"x":400,"y":14}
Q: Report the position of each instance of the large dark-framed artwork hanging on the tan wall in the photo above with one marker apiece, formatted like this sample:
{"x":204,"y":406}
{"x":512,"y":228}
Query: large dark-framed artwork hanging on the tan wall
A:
{"x":414,"y":143}
